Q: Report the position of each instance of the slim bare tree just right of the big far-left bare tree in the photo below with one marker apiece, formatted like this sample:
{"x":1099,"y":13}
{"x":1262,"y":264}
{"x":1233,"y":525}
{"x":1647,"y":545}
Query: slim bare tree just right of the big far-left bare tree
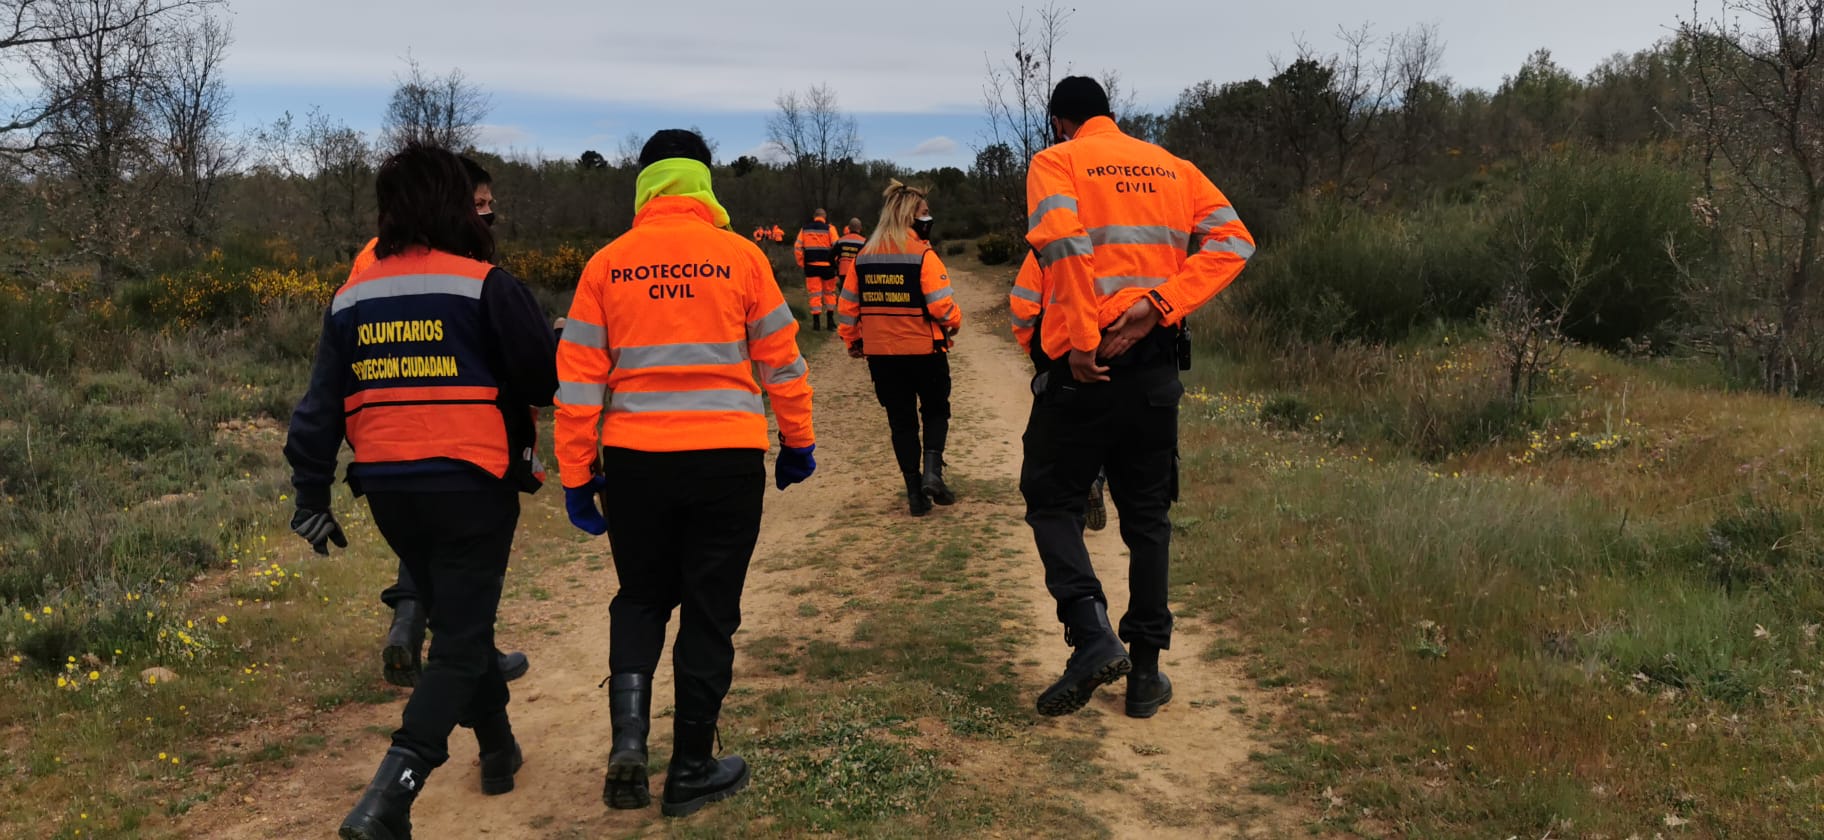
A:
{"x":192,"y":105}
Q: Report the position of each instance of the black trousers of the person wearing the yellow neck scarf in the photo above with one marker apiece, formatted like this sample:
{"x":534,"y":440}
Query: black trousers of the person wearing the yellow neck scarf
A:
{"x":683,"y":528}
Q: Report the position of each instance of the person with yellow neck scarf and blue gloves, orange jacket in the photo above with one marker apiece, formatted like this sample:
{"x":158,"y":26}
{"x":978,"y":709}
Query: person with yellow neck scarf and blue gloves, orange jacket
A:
{"x":667,"y":329}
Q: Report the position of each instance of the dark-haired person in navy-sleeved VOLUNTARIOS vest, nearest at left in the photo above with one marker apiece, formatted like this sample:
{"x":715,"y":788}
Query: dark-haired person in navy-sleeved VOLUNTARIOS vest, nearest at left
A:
{"x":430,"y":367}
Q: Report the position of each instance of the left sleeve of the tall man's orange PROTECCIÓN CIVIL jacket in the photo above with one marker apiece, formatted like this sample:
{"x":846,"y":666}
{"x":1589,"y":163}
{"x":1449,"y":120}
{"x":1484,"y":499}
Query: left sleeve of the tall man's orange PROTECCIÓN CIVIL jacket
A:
{"x":1064,"y":251}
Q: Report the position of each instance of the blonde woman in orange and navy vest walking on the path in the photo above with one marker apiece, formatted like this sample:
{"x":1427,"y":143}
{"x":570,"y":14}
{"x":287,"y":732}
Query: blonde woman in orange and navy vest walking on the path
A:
{"x":902,"y":316}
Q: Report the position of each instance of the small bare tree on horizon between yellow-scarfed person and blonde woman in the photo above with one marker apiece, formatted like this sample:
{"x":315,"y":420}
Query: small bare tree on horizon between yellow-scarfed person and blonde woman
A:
{"x":822,"y":145}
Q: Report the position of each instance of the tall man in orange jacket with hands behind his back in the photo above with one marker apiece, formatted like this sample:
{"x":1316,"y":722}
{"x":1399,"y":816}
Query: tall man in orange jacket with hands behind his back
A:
{"x":1112,"y":221}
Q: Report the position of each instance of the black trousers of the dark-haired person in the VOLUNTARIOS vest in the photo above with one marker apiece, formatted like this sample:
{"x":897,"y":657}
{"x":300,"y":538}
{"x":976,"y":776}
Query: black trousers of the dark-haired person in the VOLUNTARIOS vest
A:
{"x":455,"y":548}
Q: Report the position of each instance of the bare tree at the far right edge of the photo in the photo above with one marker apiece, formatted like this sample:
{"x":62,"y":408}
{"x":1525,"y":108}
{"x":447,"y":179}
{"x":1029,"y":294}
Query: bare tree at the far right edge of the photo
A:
{"x":1763,"y":114}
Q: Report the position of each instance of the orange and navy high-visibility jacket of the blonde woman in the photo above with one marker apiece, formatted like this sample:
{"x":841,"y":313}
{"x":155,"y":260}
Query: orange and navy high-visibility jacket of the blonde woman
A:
{"x":900,"y":303}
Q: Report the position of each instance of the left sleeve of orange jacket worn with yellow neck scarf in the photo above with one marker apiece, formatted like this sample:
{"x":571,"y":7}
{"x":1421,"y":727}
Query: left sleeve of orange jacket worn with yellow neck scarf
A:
{"x":583,"y":378}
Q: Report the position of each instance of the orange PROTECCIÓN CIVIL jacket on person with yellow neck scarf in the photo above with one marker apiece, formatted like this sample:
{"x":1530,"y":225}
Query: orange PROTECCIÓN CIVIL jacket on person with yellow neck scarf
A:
{"x":667,"y":329}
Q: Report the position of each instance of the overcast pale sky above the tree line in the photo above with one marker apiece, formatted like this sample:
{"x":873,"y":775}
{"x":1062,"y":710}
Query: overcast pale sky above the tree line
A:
{"x":568,"y":76}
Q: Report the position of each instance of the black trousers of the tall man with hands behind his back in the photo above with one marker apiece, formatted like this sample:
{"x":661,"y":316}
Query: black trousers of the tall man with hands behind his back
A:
{"x":1128,"y":427}
